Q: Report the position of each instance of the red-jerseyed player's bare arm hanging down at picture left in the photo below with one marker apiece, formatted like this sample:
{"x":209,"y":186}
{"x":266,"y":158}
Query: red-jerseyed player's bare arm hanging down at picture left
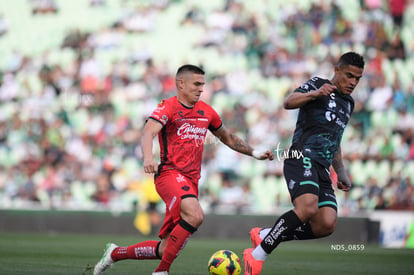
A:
{"x":151,"y":130}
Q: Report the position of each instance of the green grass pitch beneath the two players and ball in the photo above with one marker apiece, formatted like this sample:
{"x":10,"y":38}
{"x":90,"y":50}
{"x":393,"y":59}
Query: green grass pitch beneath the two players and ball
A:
{"x":25,"y":253}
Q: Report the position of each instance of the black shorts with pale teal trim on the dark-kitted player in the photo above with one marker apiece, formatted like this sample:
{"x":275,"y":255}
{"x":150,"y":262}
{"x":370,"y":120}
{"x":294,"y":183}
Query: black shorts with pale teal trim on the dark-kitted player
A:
{"x":304,"y":176}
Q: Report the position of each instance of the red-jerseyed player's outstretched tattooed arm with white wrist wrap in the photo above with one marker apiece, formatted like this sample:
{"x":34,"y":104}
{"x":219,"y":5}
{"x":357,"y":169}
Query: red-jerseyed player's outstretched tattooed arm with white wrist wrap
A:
{"x":239,"y":145}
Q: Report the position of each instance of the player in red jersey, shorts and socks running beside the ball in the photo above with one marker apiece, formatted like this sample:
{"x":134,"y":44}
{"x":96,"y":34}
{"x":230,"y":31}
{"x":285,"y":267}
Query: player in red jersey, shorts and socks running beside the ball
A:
{"x":181,"y":123}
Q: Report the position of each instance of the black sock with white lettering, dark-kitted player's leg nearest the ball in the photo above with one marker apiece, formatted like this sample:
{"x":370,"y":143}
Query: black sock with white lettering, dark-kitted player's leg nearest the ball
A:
{"x":285,"y":225}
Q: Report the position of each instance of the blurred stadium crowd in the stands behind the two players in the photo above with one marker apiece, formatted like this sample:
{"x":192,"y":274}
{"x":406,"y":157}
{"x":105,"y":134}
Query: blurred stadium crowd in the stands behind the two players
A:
{"x":79,"y":78}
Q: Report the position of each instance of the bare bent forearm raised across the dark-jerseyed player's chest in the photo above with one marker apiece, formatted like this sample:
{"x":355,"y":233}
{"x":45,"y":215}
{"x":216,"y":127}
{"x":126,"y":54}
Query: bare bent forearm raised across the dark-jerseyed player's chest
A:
{"x":298,"y":99}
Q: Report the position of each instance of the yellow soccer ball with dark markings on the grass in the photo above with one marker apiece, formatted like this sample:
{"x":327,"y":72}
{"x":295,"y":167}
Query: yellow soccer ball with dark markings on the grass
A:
{"x":224,"y":262}
